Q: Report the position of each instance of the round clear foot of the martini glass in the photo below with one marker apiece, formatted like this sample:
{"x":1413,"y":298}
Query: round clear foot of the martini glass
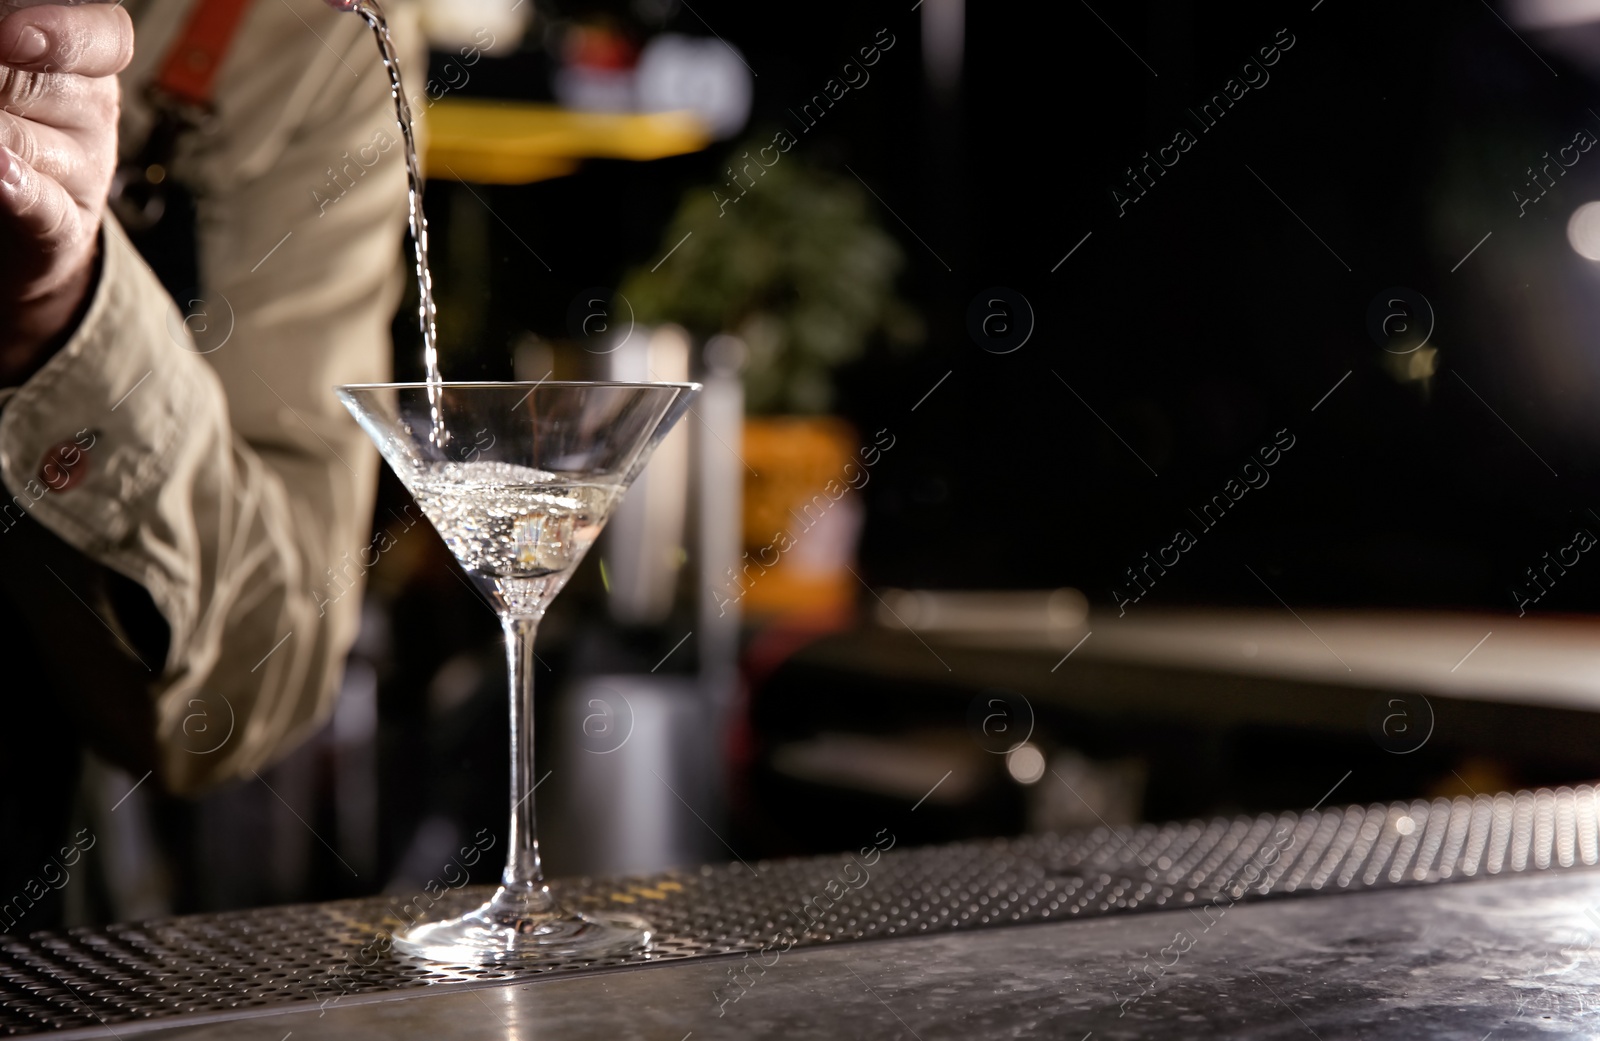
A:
{"x":508,"y":931}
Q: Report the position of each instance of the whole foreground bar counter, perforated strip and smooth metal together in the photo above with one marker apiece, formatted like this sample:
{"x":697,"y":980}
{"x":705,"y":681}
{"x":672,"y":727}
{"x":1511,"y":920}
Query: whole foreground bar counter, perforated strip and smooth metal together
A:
{"x":1463,"y":919}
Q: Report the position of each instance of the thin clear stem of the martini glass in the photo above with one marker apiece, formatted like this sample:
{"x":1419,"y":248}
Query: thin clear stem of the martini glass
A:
{"x":524,"y":879}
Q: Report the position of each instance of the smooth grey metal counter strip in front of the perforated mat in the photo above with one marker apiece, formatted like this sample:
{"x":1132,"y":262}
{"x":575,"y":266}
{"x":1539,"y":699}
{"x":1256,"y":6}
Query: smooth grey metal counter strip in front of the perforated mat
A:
{"x":1503,"y":960}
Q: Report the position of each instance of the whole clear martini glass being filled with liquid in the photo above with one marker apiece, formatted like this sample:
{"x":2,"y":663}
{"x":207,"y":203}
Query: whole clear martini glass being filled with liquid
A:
{"x":519,"y":479}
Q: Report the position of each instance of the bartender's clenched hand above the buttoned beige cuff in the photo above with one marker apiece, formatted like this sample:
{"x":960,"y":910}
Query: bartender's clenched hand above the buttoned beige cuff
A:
{"x":58,"y":151}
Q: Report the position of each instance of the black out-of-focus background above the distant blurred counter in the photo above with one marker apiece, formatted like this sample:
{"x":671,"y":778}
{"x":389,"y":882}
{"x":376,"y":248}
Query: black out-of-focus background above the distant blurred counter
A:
{"x":1196,"y":325}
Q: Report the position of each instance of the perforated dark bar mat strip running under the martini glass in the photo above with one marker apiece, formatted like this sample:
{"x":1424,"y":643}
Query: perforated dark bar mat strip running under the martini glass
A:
{"x":334,"y":952}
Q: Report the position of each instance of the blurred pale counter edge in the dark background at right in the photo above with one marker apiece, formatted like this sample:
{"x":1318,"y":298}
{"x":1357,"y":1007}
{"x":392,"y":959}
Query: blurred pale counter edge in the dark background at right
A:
{"x":1542,"y":661}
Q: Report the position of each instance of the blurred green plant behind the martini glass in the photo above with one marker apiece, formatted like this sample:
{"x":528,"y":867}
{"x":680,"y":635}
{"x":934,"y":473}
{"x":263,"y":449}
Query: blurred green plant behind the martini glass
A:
{"x":798,"y":266}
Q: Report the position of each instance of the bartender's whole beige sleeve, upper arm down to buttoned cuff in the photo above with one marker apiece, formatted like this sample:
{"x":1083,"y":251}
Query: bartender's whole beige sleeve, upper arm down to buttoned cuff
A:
{"x":225,"y":477}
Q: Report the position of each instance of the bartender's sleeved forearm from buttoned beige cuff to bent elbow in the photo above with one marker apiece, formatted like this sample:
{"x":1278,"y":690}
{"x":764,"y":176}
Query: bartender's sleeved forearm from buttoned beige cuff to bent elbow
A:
{"x":231,"y":544}
